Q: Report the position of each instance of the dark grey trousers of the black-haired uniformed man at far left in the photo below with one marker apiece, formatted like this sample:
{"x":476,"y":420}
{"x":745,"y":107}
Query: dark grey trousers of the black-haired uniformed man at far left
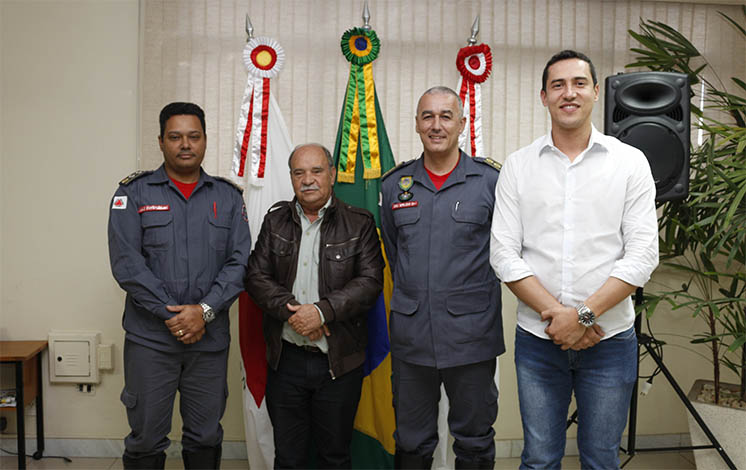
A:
{"x":151,"y":380}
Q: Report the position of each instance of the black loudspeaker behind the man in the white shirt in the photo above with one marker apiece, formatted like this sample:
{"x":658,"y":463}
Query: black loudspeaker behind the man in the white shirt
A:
{"x":650,"y":111}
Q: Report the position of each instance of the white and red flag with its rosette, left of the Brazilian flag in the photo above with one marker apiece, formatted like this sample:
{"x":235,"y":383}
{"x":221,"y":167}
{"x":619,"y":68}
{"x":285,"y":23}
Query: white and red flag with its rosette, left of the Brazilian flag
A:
{"x":260,"y":167}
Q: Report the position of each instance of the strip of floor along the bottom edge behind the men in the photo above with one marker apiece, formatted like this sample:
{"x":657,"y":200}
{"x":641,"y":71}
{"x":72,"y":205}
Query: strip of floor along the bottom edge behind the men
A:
{"x":656,"y":461}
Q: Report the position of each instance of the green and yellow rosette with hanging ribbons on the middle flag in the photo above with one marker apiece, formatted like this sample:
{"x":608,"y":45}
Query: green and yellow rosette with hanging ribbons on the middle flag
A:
{"x":360,"y":47}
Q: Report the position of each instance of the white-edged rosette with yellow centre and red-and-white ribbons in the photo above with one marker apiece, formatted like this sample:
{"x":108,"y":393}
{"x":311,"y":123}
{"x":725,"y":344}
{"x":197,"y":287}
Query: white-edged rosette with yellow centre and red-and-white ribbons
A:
{"x":263,"y":57}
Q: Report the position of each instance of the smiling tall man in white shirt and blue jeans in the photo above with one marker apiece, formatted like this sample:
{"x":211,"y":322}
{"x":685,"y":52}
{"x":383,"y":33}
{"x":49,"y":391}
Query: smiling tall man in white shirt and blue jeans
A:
{"x":574,"y":233}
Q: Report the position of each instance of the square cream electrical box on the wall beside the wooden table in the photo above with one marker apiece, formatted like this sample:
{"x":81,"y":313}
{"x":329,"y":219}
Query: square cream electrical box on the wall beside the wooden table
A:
{"x":73,"y":356}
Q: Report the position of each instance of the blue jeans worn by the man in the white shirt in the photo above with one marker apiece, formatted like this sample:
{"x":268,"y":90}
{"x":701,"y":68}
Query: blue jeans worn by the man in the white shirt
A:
{"x":602,"y":378}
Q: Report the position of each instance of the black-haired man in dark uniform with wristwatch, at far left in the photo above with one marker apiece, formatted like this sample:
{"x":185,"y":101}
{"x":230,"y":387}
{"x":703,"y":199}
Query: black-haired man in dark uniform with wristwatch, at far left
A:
{"x":179,"y":244}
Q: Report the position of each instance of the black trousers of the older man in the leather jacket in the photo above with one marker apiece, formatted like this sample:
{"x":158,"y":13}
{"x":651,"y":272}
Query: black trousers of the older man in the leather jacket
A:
{"x":306,"y":405}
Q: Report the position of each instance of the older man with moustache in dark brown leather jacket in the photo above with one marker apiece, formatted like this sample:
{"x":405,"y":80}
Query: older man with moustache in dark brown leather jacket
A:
{"x":315,"y":272}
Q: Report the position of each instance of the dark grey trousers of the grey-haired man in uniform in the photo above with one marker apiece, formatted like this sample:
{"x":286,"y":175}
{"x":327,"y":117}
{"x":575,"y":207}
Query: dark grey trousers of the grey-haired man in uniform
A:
{"x":472,"y":398}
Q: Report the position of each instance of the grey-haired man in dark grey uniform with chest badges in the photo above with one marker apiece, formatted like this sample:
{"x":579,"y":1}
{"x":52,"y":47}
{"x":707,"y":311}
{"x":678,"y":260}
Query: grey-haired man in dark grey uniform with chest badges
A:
{"x":445,"y":322}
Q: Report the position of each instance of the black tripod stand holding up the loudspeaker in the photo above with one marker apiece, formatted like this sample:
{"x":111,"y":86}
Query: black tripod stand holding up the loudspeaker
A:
{"x":649,"y":344}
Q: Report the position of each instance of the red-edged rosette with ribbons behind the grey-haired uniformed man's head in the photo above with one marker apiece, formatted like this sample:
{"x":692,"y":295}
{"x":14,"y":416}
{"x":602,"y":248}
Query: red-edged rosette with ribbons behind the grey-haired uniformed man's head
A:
{"x":474,"y":63}
